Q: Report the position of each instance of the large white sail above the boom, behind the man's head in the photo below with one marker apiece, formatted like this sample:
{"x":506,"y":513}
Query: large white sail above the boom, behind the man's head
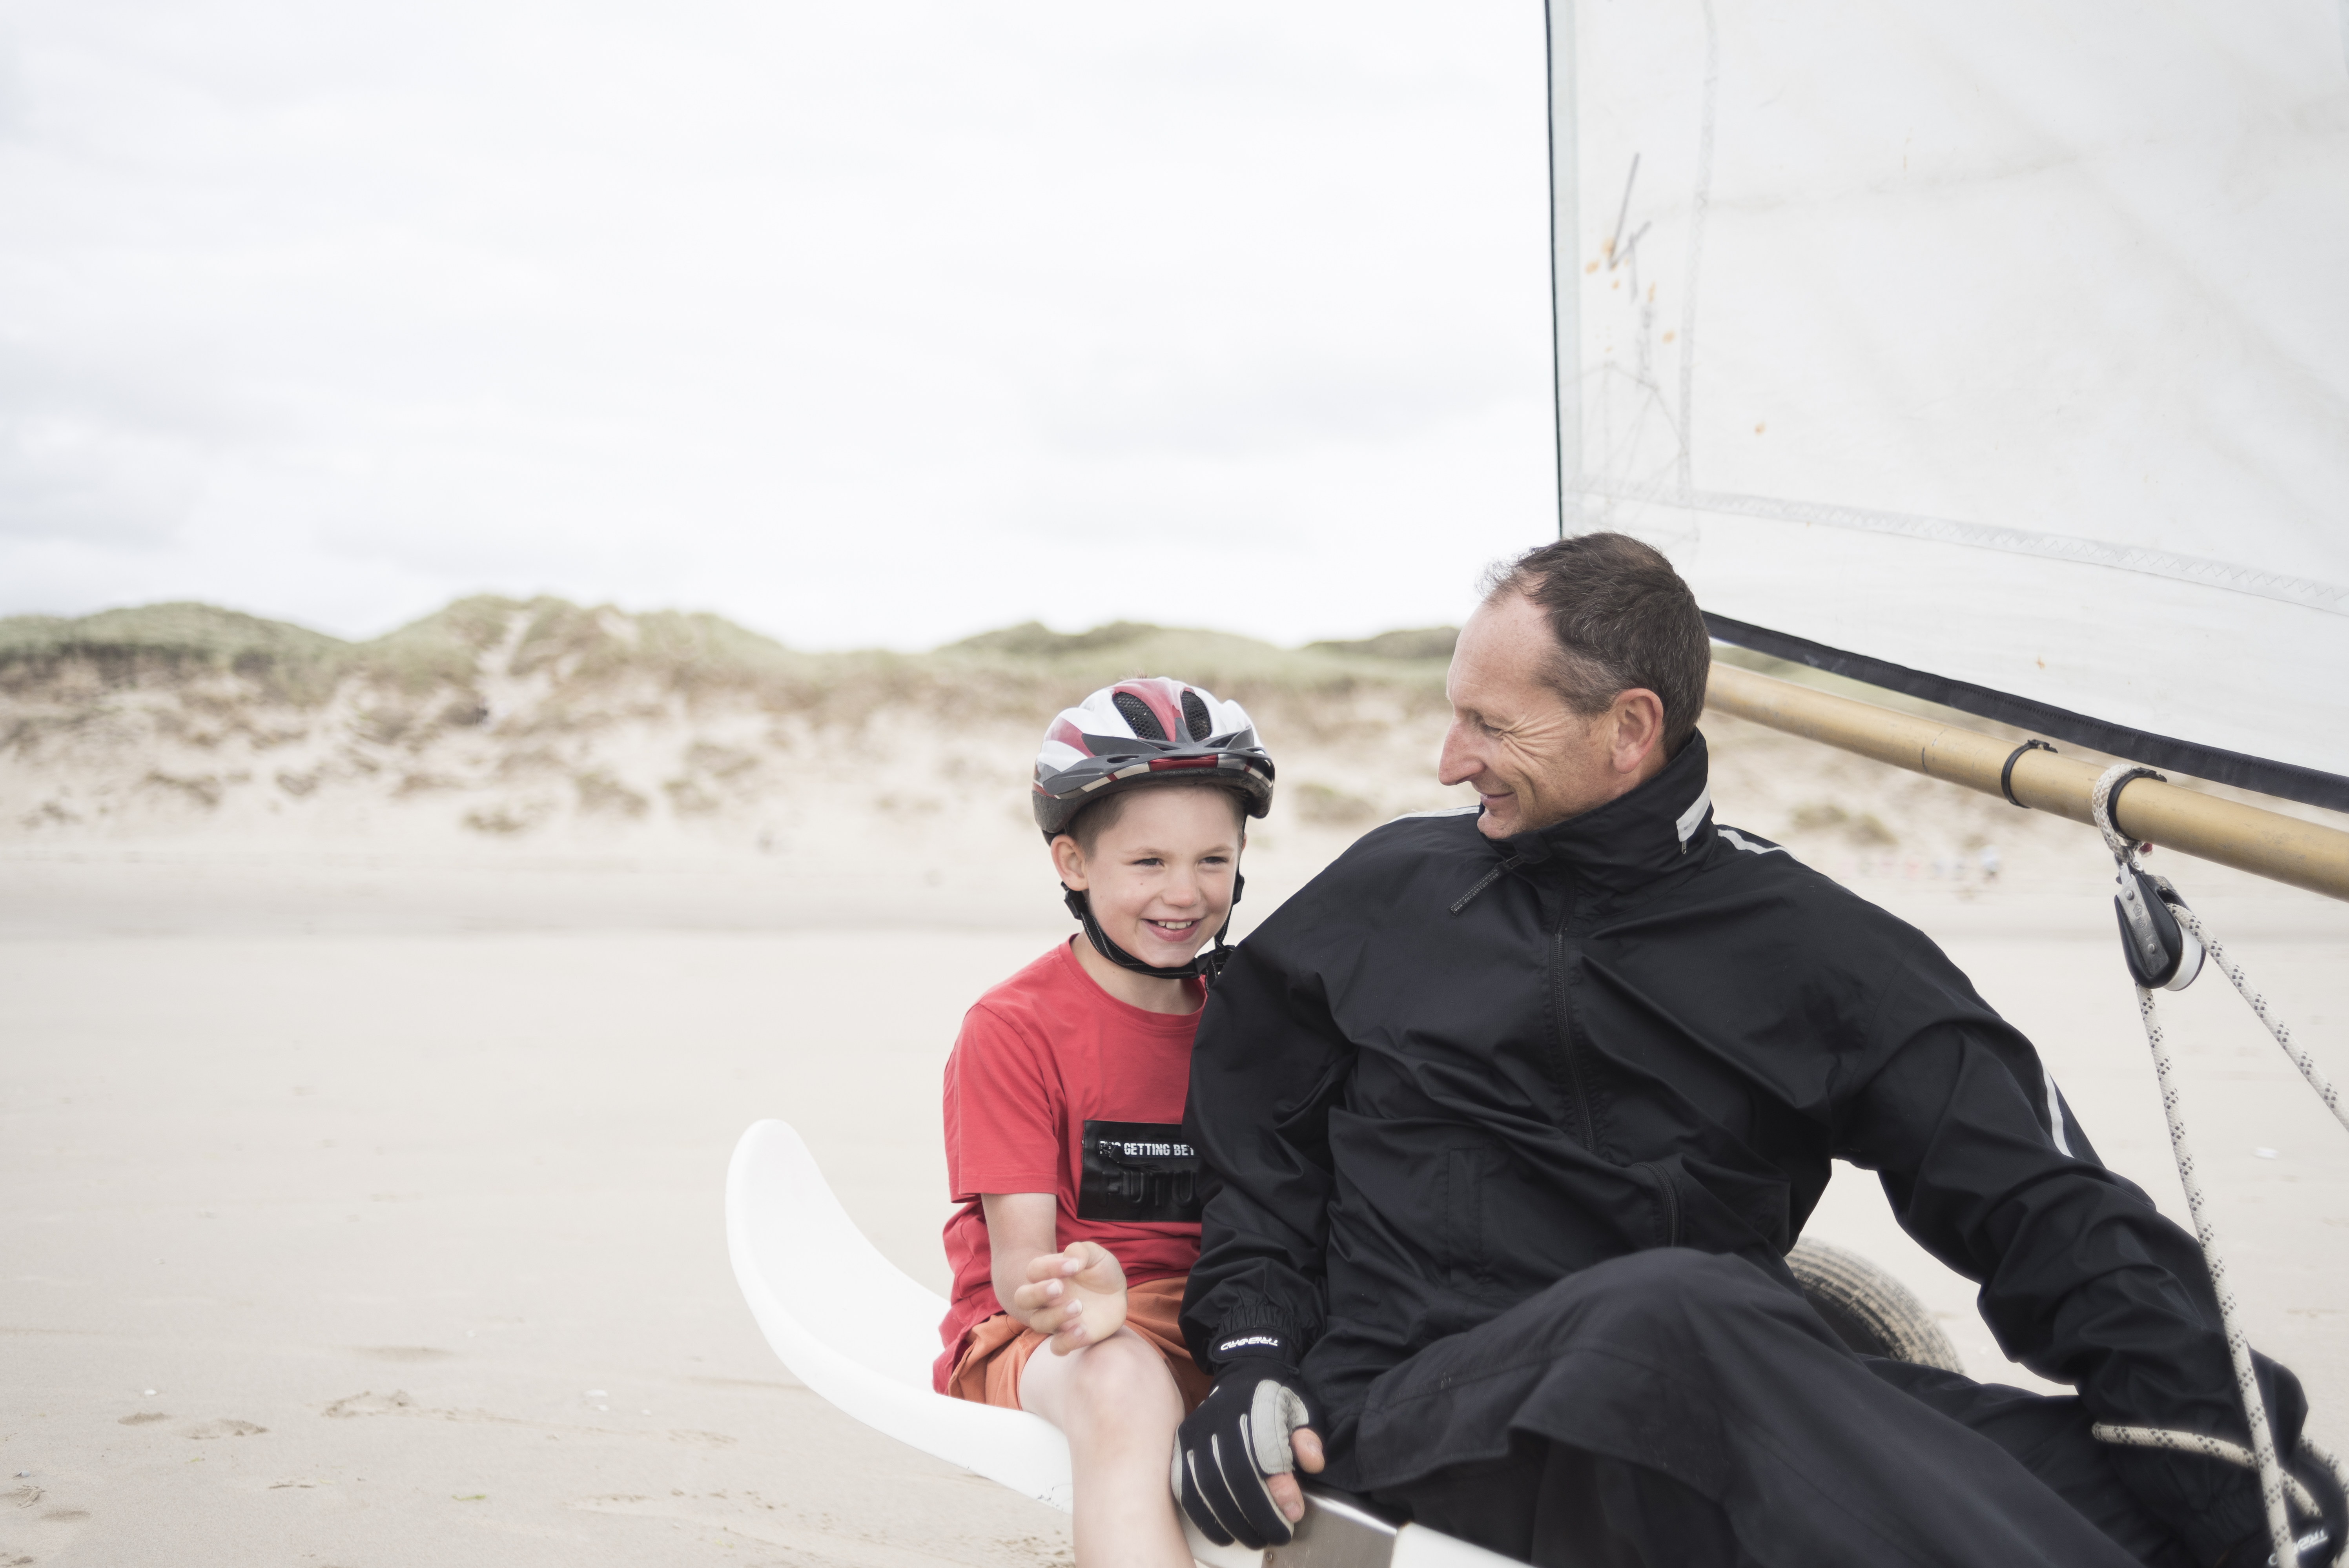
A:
{"x":1993,"y":351}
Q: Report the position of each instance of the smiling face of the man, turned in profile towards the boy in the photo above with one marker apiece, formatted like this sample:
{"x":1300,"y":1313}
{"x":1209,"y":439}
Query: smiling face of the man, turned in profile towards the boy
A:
{"x":1530,"y":759}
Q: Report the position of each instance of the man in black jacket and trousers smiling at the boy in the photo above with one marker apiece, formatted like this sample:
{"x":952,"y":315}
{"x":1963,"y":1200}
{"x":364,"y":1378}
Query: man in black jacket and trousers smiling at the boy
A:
{"x":1516,"y":1114}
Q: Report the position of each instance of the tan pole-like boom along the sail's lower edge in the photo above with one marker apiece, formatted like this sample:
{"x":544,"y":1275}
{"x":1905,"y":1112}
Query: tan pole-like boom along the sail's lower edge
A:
{"x":2242,"y":837}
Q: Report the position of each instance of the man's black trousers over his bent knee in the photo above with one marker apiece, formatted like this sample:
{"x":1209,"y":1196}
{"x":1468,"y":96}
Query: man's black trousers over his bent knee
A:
{"x":1685,"y":1410}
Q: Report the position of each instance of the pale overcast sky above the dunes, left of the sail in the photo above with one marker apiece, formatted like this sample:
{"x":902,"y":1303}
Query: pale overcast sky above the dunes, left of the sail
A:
{"x":863,"y":323}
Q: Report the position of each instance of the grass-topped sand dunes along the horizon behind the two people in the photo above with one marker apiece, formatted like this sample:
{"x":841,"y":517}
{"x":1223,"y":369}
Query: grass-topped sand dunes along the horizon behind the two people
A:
{"x":499,"y":734}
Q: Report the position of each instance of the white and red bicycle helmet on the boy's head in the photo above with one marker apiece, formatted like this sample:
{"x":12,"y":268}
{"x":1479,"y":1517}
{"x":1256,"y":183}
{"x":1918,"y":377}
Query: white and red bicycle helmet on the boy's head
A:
{"x":1147,"y":731}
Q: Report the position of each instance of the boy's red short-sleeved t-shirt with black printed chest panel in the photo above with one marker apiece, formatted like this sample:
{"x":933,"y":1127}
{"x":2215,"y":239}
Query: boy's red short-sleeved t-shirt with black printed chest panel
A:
{"x":1061,"y":1088}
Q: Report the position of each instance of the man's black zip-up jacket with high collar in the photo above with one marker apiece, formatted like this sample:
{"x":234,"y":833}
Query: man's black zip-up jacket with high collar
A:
{"x":1453,"y":1072}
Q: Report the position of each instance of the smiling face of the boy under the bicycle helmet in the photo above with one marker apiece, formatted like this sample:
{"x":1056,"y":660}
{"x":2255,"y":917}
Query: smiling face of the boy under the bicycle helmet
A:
{"x":1159,"y":877}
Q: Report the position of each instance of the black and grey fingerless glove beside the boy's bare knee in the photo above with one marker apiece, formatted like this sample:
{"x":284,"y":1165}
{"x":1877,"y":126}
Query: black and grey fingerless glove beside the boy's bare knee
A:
{"x":1232,"y":1445}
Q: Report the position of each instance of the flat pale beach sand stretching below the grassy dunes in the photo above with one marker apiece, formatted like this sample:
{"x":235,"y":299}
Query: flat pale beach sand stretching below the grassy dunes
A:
{"x":365,"y":1198}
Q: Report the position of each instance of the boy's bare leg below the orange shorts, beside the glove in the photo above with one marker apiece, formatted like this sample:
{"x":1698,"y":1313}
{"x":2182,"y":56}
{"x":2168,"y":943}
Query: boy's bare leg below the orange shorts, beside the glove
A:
{"x":1119,"y":1407}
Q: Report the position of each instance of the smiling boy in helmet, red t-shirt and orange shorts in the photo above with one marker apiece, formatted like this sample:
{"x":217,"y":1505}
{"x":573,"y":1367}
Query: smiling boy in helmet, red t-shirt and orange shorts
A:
{"x":1065,"y":1100}
